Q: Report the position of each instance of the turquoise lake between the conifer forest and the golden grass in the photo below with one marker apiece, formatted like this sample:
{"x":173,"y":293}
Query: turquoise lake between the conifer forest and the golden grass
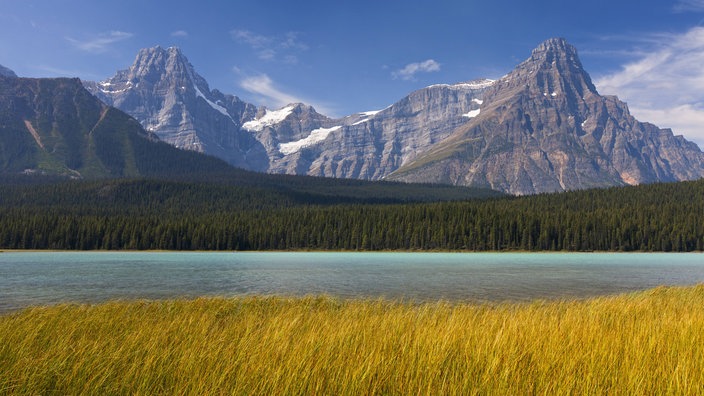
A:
{"x":40,"y":278}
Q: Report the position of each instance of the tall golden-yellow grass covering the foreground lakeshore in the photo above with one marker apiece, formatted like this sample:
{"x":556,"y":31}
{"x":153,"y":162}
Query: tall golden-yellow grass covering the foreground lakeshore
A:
{"x":643,"y":343}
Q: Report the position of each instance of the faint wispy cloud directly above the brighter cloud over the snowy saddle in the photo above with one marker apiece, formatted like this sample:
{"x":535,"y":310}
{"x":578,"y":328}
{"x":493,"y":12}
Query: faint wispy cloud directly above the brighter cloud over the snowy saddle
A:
{"x":282,"y":48}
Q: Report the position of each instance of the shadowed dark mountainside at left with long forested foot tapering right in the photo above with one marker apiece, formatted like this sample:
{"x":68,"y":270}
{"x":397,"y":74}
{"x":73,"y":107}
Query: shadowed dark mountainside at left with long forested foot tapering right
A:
{"x":55,"y":127}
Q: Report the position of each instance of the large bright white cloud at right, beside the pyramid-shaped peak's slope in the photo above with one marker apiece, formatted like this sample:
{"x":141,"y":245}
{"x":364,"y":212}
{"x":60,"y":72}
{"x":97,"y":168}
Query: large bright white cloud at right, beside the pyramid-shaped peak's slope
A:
{"x":666,"y":86}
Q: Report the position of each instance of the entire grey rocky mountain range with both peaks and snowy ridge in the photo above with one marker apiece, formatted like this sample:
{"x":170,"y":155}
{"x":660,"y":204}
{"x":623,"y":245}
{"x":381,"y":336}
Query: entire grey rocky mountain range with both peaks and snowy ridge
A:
{"x":541,"y":128}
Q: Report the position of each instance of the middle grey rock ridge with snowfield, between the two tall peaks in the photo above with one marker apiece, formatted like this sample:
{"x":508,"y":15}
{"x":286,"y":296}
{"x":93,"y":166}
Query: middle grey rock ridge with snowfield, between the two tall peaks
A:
{"x":371,"y":145}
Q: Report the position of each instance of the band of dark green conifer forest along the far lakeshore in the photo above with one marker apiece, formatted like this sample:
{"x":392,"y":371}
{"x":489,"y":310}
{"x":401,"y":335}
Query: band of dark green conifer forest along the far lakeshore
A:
{"x":660,"y":217}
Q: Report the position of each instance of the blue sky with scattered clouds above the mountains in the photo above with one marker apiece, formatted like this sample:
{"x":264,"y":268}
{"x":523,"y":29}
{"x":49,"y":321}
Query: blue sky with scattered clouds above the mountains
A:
{"x":345,"y":57}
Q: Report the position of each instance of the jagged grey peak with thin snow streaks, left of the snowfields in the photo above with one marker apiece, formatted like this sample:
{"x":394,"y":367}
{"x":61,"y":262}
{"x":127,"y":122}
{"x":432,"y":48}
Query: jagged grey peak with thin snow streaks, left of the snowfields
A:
{"x":162,"y":90}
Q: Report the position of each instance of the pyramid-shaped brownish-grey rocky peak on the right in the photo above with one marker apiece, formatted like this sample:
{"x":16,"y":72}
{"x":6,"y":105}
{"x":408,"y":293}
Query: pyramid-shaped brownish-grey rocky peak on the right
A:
{"x":544,"y":128}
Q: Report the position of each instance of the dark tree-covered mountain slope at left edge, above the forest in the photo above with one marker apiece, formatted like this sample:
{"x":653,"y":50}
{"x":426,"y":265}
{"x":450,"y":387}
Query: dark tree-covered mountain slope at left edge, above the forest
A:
{"x":56,"y":127}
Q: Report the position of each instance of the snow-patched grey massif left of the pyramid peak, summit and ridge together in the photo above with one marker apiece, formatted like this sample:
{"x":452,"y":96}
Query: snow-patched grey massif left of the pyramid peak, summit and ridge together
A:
{"x":163,"y":91}
